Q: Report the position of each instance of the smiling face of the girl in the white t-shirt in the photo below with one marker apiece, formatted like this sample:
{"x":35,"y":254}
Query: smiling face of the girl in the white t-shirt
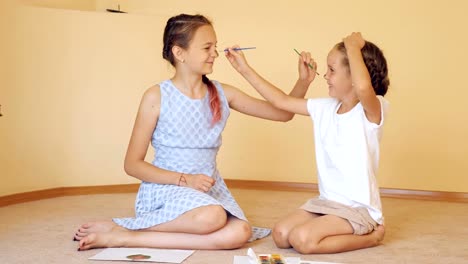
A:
{"x":338,"y":76}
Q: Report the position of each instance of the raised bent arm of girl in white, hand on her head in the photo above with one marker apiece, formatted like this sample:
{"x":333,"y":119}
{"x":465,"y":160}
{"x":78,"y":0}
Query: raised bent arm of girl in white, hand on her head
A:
{"x":360,"y":77}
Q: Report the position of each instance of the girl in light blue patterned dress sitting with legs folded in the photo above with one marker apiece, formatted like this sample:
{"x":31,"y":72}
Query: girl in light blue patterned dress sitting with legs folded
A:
{"x":183,"y":202}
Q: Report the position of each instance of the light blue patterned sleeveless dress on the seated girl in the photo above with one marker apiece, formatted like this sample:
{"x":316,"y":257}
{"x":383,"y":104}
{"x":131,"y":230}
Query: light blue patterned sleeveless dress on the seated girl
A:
{"x":185,"y":141}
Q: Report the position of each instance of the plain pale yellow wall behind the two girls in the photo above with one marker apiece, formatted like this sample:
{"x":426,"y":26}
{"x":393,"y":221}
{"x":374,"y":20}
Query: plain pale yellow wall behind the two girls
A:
{"x":71,"y":81}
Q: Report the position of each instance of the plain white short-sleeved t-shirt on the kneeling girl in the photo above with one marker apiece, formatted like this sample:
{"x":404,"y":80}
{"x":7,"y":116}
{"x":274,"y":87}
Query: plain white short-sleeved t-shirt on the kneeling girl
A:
{"x":347,"y":152}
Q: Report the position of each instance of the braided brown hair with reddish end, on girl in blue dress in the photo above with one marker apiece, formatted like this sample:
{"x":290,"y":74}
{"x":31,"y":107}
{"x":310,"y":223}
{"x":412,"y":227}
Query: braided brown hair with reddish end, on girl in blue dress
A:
{"x":179,"y":31}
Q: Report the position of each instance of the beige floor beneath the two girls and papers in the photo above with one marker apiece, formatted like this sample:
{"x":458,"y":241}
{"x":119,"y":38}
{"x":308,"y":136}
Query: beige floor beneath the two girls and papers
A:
{"x":416,"y":231}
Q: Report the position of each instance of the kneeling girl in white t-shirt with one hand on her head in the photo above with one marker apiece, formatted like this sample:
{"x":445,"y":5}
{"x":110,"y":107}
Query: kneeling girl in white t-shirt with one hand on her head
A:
{"x":347,"y":215}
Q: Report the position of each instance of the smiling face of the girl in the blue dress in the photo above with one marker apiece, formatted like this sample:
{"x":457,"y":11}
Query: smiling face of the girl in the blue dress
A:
{"x":201,"y":53}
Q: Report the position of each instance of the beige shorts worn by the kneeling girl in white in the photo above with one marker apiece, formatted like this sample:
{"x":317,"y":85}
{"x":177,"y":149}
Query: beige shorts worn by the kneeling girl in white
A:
{"x":358,"y":217}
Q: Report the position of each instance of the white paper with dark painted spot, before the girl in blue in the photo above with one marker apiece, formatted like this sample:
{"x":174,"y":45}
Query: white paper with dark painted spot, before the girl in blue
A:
{"x":143,"y":254}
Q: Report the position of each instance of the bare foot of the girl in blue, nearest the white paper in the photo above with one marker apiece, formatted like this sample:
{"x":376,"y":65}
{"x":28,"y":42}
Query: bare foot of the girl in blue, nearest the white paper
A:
{"x":102,"y":240}
